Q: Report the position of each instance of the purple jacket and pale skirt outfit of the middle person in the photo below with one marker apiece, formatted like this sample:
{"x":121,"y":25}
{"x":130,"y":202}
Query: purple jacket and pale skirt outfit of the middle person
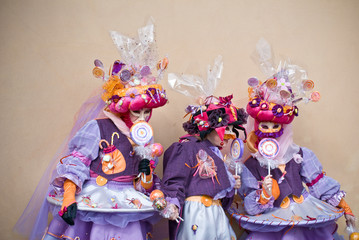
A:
{"x":181,"y":179}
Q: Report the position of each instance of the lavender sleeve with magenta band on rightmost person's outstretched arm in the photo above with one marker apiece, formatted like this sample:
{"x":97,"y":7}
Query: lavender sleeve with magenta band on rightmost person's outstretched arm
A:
{"x":320,"y":185}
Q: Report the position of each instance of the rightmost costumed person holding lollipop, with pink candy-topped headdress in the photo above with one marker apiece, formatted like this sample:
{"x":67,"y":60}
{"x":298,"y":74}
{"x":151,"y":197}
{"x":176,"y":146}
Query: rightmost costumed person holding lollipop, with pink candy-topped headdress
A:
{"x":277,"y":204}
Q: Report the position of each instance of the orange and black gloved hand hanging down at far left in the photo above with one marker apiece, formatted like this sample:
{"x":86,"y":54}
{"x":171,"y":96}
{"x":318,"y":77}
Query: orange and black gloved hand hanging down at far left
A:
{"x":69,"y":207}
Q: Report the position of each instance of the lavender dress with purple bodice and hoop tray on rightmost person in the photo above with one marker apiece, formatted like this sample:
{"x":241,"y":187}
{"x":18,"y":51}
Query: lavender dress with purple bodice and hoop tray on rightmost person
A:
{"x":311,"y":217}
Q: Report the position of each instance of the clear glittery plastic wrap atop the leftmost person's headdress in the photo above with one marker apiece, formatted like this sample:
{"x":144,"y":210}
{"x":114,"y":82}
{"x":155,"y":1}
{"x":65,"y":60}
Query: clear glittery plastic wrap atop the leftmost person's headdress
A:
{"x":141,"y":50}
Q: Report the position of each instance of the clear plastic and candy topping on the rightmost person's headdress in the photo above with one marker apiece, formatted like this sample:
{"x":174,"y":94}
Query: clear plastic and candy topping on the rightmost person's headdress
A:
{"x":286,"y":84}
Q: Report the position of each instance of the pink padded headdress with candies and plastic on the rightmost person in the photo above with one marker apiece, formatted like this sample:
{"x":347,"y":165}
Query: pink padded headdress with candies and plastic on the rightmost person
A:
{"x":276,"y":99}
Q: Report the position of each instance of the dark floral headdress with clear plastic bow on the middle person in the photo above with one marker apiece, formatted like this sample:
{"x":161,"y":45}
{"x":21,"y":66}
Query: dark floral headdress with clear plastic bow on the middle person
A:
{"x":211,"y":113}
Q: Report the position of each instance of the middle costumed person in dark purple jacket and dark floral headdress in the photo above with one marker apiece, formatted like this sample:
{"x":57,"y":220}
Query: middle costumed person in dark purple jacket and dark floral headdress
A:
{"x":196,"y":181}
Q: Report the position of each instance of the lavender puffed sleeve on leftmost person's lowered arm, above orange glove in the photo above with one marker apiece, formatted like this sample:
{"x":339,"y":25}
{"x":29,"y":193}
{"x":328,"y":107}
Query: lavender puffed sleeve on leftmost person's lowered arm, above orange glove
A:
{"x":83,"y":148}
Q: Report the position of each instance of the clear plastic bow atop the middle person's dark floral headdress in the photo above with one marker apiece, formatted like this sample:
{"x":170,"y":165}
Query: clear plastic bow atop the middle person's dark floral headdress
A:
{"x":195,"y":86}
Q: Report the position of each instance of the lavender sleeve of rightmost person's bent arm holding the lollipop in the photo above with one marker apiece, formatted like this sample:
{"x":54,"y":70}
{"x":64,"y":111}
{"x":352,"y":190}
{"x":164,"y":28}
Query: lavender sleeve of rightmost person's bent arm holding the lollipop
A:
{"x":251,"y":191}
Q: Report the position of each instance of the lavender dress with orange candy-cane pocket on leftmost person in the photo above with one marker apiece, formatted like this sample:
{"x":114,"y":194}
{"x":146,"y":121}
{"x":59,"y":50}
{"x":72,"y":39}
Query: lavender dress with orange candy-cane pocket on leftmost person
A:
{"x":109,"y":207}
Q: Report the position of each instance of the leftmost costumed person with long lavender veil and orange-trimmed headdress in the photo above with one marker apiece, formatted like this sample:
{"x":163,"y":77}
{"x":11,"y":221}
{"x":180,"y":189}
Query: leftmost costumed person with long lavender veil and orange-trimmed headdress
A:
{"x":102,"y":185}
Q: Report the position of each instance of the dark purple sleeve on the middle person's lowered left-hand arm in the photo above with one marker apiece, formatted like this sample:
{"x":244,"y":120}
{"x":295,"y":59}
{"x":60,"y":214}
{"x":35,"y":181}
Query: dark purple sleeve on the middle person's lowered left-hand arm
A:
{"x":175,"y":173}
